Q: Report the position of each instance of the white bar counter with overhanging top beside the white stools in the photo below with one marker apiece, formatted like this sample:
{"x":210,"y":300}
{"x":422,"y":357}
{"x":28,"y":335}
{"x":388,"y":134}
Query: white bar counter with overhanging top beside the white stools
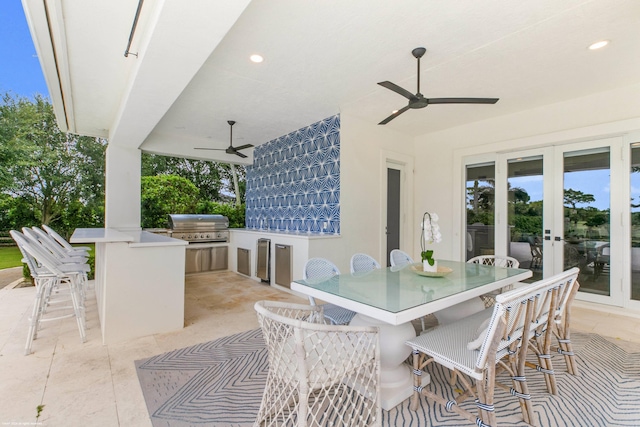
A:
{"x":139,"y":282}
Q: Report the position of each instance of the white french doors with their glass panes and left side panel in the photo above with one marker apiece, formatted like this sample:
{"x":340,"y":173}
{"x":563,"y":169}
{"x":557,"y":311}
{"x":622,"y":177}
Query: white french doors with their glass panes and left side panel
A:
{"x":553,"y":209}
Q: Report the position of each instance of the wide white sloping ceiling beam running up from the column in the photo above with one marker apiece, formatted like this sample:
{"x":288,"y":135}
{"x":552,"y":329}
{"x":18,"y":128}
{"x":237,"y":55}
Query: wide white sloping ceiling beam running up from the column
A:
{"x":179,"y":39}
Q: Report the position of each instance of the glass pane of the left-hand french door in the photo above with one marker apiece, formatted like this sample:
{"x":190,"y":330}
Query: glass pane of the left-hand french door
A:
{"x":525,"y":202}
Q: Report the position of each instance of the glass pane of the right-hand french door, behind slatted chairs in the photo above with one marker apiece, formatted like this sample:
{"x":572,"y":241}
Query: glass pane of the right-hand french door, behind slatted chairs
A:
{"x":586,"y":218}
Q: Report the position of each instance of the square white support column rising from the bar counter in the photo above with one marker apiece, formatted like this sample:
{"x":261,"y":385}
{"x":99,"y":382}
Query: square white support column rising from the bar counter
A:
{"x":122,"y":188}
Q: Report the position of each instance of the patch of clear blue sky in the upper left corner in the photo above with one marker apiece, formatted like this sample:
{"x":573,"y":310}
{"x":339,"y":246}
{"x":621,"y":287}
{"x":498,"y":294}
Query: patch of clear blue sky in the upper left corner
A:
{"x":20,"y":71}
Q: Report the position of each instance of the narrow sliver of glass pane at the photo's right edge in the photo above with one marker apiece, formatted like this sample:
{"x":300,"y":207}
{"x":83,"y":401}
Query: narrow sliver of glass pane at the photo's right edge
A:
{"x":635,"y":221}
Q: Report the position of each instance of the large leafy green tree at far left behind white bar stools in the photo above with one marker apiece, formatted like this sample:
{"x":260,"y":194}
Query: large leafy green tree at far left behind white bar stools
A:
{"x":44,"y":168}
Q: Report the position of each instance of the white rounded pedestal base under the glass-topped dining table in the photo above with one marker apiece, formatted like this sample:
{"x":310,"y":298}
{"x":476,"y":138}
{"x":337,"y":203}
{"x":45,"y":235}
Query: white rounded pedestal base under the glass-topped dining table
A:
{"x":396,"y":378}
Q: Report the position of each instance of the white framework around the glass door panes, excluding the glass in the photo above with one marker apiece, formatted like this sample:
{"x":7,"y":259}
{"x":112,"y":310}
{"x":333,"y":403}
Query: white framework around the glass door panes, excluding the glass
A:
{"x":553,"y":209}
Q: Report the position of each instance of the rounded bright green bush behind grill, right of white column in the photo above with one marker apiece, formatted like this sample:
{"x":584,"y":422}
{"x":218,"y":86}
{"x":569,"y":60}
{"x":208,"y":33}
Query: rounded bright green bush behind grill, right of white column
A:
{"x":163,"y":195}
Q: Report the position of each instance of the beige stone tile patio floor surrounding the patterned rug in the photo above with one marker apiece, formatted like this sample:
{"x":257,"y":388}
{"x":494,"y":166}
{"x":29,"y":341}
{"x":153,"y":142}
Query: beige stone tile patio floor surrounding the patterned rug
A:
{"x":94,"y":385}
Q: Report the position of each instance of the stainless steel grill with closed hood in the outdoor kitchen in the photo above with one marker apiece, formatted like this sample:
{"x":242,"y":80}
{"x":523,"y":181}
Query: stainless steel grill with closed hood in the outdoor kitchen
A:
{"x":199,"y":228}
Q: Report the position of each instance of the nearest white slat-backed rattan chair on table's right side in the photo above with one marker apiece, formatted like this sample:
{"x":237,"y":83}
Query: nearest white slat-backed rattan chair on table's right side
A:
{"x":477,"y":347}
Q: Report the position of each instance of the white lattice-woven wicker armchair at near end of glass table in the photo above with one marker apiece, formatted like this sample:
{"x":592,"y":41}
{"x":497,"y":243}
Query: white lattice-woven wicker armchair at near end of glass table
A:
{"x":319,"y":374}
